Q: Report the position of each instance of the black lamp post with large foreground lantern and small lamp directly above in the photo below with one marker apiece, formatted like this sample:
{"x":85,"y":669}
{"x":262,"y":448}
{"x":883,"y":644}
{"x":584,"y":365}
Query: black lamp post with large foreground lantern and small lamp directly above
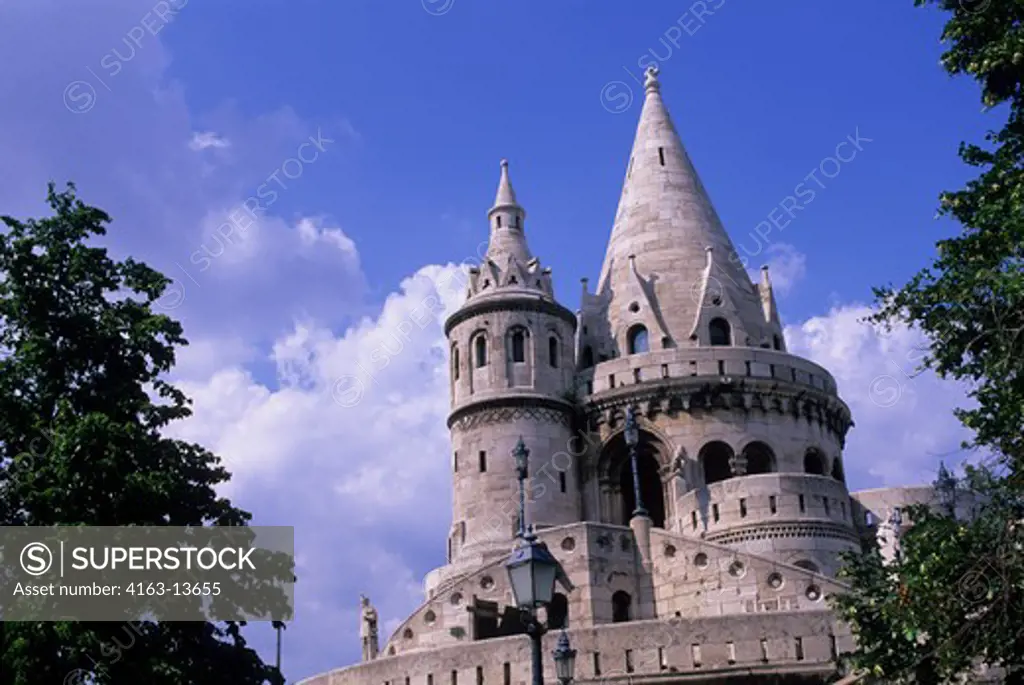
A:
{"x":533,"y":572}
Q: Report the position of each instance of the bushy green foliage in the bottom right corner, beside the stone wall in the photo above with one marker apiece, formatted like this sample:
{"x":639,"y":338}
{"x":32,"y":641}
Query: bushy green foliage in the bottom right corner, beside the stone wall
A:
{"x":954,"y":598}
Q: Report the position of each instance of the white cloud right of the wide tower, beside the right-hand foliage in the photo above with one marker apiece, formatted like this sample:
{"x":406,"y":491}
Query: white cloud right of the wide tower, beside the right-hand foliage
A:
{"x":905,"y":424}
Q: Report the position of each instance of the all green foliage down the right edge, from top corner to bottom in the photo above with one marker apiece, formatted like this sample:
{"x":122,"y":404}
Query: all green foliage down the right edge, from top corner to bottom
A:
{"x":954,"y":600}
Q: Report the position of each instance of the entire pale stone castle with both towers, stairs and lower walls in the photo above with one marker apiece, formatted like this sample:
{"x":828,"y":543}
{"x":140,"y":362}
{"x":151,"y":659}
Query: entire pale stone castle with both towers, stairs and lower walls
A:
{"x":738,"y":450}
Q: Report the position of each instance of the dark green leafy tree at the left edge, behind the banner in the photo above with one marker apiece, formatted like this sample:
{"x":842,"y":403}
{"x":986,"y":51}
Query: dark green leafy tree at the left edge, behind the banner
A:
{"x":82,"y":409}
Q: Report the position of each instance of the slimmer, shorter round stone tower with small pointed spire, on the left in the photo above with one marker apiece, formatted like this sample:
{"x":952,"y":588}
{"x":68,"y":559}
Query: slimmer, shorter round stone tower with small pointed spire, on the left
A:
{"x":513,"y":369}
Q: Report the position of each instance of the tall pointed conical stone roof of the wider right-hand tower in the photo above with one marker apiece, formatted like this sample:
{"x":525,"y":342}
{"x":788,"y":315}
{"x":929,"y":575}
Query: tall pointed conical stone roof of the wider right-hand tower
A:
{"x":670,"y":264}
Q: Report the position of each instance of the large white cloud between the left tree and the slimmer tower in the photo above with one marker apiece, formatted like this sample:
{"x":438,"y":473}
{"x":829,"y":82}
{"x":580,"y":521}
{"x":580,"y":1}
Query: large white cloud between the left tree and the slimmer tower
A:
{"x":364,"y":470}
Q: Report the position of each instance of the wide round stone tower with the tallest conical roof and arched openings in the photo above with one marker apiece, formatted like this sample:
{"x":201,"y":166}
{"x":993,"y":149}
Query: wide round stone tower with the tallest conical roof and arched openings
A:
{"x":743,"y":441}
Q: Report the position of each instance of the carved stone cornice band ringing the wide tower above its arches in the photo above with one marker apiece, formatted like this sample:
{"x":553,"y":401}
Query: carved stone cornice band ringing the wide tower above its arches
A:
{"x":710,"y":394}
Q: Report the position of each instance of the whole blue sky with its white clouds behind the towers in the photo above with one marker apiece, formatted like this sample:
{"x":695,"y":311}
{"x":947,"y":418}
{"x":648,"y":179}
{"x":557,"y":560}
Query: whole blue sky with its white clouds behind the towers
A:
{"x":413,"y":105}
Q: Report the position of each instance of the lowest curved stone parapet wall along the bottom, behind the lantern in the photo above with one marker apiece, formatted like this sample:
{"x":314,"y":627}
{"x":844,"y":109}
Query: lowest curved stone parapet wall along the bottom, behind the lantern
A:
{"x":701,"y":651}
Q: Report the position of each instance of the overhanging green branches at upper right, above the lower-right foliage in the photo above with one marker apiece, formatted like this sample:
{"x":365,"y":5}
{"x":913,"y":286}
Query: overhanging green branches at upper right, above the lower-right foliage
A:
{"x":970,"y":302}
